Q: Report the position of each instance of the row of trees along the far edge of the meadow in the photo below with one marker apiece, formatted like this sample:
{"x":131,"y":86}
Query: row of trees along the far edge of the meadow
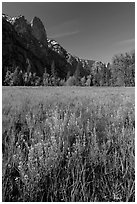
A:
{"x":121,"y":72}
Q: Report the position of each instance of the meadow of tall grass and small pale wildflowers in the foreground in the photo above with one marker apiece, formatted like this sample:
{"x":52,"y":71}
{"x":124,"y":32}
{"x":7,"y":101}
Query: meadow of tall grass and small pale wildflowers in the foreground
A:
{"x":68,"y":144}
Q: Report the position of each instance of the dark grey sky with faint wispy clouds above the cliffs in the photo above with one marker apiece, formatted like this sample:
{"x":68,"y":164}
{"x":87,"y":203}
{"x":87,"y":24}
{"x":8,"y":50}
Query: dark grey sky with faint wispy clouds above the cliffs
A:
{"x":89,"y":30}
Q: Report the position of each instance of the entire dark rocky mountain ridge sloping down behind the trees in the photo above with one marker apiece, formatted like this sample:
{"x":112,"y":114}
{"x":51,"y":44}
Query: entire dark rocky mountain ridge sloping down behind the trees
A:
{"x":26,"y":45}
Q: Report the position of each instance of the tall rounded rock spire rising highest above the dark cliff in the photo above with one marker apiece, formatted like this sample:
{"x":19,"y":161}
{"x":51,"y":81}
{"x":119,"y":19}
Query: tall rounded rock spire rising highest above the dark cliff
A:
{"x":38,"y":30}
